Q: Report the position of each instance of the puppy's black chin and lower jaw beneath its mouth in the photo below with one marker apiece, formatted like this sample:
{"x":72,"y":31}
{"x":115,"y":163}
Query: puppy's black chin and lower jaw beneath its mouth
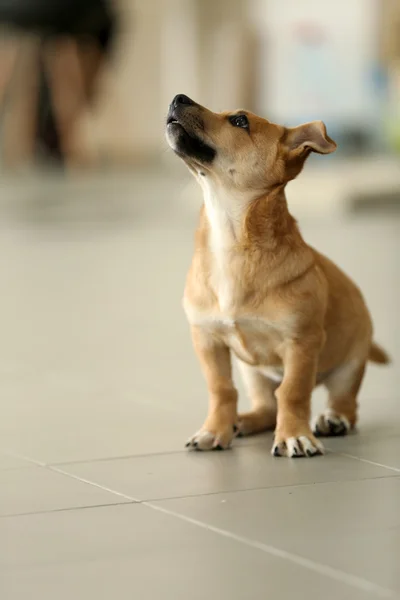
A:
{"x":189,"y":146}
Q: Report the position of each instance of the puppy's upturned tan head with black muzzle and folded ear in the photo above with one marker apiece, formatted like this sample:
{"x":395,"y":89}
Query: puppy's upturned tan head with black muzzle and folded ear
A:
{"x":238,"y":148}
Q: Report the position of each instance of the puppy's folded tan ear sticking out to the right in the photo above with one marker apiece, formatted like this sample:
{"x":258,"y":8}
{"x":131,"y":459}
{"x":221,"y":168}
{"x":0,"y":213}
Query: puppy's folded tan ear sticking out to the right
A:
{"x":309,"y":137}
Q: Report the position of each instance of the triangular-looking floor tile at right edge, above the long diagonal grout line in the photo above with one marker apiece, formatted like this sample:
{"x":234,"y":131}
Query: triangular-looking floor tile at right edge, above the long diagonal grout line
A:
{"x":353,"y":526}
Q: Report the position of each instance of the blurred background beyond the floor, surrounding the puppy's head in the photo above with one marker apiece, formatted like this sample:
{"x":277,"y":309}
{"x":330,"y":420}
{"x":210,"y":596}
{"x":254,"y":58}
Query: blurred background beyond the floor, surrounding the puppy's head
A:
{"x":87,"y":85}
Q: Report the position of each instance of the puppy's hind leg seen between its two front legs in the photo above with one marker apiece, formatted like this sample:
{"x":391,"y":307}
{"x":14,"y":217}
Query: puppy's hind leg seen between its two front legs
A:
{"x":261,"y":393}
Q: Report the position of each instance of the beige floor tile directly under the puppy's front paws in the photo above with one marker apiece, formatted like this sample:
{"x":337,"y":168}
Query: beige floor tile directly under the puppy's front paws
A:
{"x":194,"y":473}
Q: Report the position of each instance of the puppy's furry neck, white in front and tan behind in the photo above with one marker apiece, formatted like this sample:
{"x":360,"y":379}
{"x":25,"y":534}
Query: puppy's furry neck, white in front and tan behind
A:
{"x":246,"y":234}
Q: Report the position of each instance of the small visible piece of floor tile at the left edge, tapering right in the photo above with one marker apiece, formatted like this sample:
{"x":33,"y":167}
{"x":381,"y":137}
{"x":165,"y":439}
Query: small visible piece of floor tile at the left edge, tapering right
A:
{"x":37,"y":489}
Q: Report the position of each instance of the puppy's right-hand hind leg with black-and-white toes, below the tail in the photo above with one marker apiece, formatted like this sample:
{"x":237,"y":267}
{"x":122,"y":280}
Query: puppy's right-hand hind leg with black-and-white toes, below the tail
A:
{"x":341,"y":415}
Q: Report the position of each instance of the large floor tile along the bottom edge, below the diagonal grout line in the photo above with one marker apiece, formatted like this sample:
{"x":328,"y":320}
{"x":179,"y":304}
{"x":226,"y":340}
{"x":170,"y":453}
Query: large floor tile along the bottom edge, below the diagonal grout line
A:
{"x":133,"y":551}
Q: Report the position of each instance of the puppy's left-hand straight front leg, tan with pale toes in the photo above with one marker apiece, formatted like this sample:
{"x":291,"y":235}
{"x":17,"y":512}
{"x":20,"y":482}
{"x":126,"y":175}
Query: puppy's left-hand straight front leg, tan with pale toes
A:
{"x":215,"y":359}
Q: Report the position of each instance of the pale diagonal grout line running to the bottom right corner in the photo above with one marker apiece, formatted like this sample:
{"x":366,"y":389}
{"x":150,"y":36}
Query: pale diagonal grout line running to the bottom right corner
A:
{"x":332,"y":573}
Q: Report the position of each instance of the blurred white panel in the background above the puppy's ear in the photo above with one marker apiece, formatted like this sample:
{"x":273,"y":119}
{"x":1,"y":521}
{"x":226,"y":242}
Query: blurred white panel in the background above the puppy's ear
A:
{"x":329,"y":80}
